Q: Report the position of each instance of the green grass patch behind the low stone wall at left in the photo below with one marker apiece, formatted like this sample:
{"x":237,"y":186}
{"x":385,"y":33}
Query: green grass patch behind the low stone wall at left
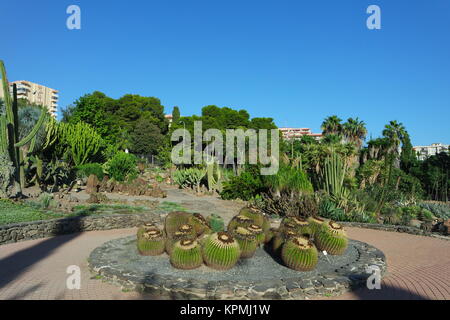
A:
{"x":11,"y":212}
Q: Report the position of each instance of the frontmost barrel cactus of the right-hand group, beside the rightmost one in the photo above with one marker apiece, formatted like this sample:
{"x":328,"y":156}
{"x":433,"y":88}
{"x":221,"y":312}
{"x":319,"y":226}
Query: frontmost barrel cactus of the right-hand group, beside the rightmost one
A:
{"x":300,"y":254}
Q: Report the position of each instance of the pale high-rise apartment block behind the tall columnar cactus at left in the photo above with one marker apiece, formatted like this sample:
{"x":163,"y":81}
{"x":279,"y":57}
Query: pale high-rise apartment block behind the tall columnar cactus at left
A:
{"x":36,"y":93}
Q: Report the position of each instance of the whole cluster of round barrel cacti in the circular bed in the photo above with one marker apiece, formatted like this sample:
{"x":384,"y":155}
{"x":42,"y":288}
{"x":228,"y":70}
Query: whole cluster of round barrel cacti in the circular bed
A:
{"x":190,"y":242}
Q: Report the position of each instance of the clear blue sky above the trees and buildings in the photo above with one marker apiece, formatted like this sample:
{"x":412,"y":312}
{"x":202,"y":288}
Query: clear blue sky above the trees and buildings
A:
{"x":296,"y":61}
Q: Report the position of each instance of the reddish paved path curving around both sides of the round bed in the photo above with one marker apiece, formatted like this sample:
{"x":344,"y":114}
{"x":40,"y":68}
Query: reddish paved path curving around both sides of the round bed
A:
{"x":419,"y":267}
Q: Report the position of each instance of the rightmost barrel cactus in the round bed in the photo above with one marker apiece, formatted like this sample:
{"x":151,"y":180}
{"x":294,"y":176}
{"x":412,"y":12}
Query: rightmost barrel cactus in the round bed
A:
{"x":332,"y":238}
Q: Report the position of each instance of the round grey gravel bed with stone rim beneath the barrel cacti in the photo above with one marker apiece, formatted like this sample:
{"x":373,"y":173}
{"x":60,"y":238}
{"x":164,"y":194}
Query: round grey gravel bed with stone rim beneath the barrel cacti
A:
{"x":261,"y":277}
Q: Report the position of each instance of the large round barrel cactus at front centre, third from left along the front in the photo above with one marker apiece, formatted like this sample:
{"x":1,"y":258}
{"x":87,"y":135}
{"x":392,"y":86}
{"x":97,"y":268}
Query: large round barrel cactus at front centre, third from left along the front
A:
{"x":221,"y":251}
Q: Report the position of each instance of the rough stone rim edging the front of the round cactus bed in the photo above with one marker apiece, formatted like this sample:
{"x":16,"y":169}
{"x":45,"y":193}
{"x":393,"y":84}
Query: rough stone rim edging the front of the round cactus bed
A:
{"x":346,"y":278}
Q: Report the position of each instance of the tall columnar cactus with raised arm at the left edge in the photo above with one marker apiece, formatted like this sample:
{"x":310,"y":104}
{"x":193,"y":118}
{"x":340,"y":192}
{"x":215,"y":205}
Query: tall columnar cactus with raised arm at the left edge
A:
{"x":9,"y":126}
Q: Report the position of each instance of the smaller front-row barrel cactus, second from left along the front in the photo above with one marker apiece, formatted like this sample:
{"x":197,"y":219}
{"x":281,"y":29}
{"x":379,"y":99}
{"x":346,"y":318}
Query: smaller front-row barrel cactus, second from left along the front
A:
{"x":186,"y":254}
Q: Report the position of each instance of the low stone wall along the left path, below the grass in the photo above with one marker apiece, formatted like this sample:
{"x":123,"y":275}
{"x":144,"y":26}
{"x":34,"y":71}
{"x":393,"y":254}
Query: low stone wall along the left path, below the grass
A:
{"x":48,"y":228}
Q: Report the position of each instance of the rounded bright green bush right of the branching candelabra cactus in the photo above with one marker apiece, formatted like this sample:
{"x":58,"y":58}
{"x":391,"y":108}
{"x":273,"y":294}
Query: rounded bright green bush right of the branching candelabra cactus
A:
{"x":122,"y":166}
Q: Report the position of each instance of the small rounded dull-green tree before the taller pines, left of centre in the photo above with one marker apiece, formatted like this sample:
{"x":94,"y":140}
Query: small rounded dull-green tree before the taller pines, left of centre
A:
{"x":146,"y":138}
